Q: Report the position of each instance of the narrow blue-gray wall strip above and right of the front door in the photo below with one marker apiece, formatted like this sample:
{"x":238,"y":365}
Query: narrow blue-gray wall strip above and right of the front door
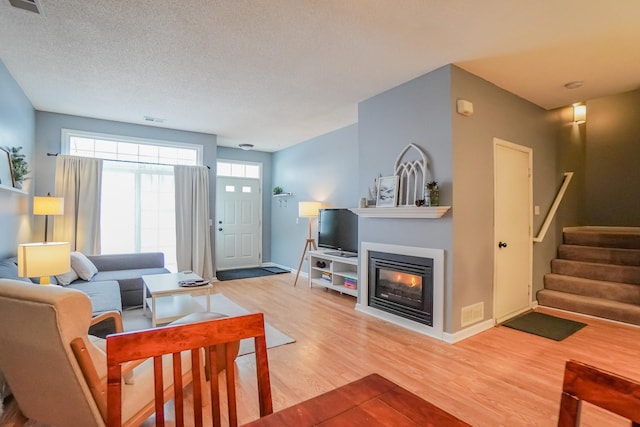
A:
{"x":263,"y":158}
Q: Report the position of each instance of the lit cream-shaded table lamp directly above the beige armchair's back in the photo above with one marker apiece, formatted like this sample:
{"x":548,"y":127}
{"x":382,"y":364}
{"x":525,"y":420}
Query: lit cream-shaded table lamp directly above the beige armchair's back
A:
{"x":44,"y":260}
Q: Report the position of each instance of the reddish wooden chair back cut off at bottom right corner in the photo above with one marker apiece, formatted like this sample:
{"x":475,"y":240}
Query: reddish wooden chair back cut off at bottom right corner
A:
{"x":612,"y":392}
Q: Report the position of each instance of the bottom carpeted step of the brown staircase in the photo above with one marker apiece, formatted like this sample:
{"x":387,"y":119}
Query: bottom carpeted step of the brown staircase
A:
{"x":614,"y":310}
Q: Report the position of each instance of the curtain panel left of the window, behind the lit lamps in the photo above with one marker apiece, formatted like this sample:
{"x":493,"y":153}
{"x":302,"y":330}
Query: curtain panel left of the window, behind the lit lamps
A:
{"x":78,"y":180}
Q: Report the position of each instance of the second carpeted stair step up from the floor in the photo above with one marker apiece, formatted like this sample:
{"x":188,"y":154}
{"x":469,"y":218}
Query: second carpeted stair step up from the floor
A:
{"x":621,"y":292}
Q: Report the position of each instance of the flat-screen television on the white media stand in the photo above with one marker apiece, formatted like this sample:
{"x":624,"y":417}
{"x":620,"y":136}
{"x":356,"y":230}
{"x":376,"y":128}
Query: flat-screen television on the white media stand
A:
{"x":338,"y":229}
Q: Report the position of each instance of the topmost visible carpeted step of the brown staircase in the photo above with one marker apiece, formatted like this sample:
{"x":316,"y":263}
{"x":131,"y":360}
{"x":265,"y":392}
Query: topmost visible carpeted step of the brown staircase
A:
{"x":609,"y":237}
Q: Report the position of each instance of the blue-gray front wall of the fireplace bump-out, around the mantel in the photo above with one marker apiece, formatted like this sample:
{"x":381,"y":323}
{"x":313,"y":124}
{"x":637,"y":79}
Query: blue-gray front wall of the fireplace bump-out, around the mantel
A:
{"x":415,"y":112}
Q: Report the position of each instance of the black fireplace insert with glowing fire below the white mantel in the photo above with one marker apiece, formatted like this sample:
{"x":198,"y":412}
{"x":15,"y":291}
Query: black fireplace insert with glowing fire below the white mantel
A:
{"x":401,"y":285}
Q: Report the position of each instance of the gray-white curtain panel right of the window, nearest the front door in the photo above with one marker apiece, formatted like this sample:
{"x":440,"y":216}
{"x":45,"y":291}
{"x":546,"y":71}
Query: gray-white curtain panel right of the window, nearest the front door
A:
{"x":193,"y":241}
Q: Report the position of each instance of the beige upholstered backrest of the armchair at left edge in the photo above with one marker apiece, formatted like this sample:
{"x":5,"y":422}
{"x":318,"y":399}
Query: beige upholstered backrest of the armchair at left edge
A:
{"x":37,"y":324}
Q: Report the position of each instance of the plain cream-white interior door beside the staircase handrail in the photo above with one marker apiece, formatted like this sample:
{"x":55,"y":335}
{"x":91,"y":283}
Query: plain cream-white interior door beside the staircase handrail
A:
{"x":512,"y":227}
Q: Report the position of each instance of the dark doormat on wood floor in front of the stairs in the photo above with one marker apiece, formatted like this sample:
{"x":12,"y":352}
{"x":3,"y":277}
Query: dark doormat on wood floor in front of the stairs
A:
{"x":544,"y":325}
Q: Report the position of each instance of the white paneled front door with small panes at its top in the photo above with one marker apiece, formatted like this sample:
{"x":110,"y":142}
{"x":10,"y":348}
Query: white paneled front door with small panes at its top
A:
{"x":238,"y":223}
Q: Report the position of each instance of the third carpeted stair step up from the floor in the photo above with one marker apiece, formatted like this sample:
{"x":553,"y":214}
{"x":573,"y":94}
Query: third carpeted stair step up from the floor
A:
{"x":595,"y":271}
